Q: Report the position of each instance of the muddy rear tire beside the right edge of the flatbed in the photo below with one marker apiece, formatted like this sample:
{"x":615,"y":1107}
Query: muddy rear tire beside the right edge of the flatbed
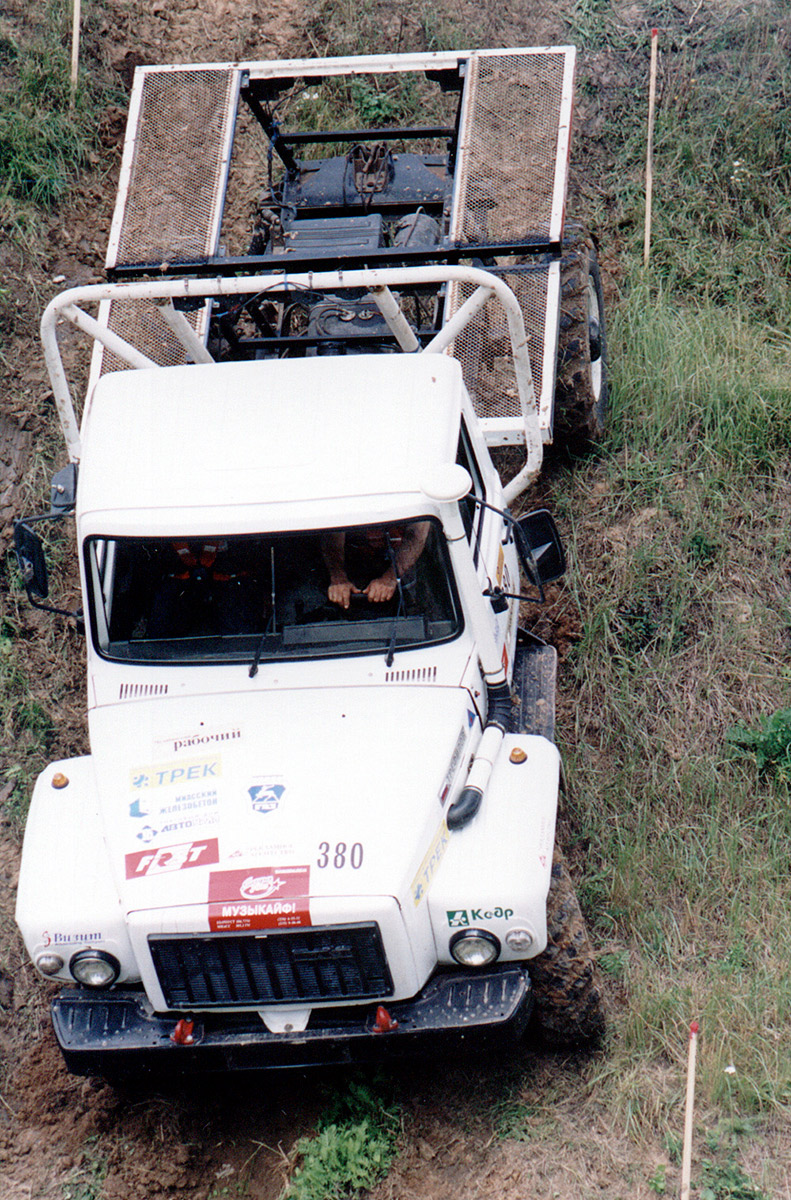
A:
{"x":582,"y":385}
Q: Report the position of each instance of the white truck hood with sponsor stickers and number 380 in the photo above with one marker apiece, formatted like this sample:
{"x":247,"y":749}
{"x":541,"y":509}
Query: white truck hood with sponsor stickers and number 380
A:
{"x":311,"y":794}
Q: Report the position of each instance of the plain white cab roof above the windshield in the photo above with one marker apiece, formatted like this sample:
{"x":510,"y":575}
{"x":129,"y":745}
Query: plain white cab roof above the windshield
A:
{"x":273,"y":433}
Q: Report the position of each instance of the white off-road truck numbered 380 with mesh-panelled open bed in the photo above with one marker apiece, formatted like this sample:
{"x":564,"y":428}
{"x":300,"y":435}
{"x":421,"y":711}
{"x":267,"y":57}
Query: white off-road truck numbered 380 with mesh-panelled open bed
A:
{"x":317,"y":821}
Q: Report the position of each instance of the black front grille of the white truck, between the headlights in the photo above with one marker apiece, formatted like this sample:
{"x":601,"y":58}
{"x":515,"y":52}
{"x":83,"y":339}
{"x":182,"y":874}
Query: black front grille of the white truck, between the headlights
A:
{"x":279,"y":968}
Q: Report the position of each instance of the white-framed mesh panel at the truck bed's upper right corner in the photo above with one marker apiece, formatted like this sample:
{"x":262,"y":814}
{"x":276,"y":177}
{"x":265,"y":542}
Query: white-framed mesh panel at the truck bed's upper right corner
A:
{"x":514,"y":147}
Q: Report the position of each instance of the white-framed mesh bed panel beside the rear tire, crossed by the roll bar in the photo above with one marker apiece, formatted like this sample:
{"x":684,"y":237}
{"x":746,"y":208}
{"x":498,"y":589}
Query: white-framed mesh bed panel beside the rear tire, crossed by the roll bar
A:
{"x":484,"y":350}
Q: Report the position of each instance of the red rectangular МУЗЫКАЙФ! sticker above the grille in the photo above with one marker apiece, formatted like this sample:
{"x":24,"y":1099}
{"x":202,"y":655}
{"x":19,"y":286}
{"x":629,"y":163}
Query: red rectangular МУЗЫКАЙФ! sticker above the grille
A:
{"x":260,"y":898}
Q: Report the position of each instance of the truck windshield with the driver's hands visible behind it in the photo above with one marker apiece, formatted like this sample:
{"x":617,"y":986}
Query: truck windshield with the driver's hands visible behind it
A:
{"x":362,"y":590}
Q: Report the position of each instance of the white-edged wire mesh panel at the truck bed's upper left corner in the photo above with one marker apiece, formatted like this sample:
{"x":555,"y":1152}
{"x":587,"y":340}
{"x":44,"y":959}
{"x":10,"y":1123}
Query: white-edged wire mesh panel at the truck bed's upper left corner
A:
{"x":172,"y":206}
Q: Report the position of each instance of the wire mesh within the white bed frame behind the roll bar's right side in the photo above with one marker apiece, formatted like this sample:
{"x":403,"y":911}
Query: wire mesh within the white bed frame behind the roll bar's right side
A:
{"x":484,"y":347}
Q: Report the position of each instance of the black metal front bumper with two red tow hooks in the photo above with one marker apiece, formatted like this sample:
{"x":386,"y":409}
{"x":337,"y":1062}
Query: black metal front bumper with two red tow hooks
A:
{"x":115,"y":1034}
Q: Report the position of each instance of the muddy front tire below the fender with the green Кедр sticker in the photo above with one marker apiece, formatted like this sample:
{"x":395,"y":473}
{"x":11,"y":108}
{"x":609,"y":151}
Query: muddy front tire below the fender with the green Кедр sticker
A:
{"x":570,"y":1004}
